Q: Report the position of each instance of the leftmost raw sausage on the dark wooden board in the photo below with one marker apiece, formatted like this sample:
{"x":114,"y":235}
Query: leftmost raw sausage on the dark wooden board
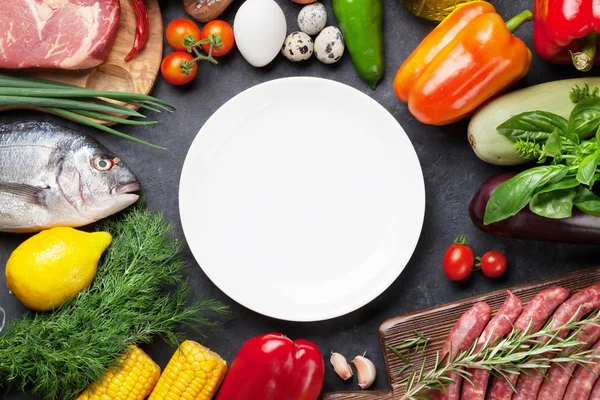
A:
{"x":466,"y":330}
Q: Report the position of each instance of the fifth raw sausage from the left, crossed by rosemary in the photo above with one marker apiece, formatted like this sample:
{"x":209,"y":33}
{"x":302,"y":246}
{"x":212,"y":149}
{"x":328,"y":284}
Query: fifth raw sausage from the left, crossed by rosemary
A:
{"x":559,"y":376}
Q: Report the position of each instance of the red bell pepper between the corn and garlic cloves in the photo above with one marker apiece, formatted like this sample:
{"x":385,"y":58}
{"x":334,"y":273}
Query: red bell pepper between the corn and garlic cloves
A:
{"x":273,"y":367}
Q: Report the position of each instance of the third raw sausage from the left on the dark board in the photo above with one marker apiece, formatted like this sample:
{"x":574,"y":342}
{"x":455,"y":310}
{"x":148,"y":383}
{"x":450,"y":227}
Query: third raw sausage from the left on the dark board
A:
{"x":535,"y":313}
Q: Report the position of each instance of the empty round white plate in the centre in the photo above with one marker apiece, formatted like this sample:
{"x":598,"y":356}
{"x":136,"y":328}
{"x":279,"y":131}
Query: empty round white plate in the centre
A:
{"x":302,"y":199}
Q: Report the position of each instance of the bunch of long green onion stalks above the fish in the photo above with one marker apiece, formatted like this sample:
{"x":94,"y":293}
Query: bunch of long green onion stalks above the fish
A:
{"x":82,"y":105}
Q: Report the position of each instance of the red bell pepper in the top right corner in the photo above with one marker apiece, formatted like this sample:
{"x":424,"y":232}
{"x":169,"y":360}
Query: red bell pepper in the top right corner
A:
{"x":565,"y":31}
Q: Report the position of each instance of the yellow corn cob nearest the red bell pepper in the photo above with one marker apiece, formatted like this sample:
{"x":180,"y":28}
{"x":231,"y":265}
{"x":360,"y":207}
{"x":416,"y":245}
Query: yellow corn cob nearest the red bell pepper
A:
{"x":193,"y":373}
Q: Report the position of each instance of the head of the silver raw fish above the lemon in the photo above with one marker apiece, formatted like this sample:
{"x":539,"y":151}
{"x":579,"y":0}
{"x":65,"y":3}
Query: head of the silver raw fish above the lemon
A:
{"x":96,"y":182}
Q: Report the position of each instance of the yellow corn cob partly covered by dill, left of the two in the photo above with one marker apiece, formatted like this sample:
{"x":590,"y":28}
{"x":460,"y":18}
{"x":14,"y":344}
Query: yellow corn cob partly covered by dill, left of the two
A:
{"x":133,"y":379}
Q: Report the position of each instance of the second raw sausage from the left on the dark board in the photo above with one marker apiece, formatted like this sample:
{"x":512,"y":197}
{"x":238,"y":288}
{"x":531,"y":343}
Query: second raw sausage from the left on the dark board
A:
{"x":500,"y":326}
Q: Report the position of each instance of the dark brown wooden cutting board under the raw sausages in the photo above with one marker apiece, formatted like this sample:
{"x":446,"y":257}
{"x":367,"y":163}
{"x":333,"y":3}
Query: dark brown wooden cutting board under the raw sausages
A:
{"x":435,"y":323}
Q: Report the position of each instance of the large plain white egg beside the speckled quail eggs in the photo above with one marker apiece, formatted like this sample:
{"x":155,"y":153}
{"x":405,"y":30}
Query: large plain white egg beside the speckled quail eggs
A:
{"x":260,"y":29}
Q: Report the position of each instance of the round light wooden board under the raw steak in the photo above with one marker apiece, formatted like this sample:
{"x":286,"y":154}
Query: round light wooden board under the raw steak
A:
{"x":137,"y":75}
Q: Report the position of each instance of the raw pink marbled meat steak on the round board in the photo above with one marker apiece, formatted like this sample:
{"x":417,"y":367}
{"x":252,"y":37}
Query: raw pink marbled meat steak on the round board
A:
{"x":65,"y":34}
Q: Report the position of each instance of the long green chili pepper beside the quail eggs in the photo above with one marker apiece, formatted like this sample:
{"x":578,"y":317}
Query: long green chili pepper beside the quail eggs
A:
{"x":361,"y":22}
